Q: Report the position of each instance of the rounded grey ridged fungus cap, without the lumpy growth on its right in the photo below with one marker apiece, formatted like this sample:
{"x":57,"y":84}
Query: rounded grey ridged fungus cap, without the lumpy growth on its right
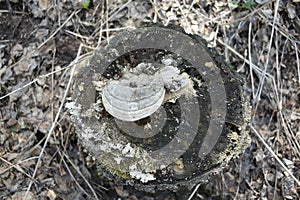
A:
{"x":134,"y":97}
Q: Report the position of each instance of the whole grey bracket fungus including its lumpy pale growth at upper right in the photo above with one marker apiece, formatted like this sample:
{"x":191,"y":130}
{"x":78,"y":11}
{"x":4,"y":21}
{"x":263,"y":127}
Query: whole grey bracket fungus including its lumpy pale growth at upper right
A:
{"x":138,"y":94}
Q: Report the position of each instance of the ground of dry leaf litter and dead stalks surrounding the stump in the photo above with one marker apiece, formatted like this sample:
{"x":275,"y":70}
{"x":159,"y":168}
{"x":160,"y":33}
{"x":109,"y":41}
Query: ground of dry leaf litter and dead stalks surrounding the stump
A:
{"x":40,"y":40}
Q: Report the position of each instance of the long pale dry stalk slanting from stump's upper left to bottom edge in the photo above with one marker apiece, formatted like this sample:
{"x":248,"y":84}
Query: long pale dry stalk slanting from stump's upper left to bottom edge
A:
{"x":55,"y":121}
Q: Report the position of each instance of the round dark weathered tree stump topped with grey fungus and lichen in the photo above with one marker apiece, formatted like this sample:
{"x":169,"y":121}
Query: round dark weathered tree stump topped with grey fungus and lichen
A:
{"x":159,"y":110}
